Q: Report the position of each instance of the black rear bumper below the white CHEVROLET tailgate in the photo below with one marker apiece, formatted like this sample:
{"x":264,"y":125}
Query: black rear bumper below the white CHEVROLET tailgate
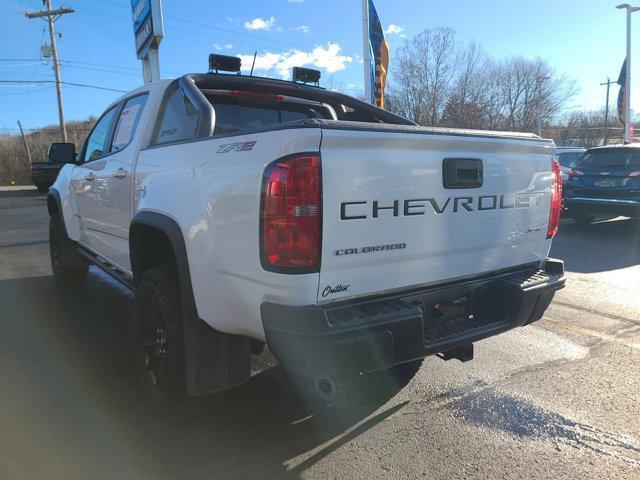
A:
{"x":375,"y":334}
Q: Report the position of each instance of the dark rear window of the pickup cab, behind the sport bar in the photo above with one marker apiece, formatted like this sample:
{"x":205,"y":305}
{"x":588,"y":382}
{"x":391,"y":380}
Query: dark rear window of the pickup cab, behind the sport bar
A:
{"x":237,"y":115}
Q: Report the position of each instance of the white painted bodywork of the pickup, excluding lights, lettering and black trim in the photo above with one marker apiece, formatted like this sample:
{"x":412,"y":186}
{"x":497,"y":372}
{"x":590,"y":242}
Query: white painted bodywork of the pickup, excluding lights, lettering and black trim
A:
{"x":215,"y":199}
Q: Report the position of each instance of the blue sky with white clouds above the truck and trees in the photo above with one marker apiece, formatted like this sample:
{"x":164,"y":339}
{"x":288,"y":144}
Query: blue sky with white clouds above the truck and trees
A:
{"x":584,"y":39}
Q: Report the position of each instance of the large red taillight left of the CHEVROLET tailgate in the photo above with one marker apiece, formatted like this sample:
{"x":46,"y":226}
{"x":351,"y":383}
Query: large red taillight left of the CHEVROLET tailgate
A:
{"x":291,"y":216}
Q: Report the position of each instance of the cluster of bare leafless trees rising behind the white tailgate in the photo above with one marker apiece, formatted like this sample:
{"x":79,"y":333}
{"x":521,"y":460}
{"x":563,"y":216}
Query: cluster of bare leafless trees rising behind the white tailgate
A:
{"x":438,"y":81}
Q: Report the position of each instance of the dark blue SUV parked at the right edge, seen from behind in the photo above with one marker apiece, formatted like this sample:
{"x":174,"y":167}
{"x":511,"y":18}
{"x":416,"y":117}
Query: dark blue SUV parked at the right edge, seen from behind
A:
{"x":604,"y":181}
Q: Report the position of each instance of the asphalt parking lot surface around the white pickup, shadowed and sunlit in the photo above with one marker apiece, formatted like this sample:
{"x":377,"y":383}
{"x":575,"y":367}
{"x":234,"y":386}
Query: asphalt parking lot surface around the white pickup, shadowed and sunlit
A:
{"x":558,"y":399}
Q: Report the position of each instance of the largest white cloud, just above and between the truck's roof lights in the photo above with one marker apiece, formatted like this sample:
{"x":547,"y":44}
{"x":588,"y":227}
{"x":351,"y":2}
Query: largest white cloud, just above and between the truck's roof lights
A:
{"x":327,"y":57}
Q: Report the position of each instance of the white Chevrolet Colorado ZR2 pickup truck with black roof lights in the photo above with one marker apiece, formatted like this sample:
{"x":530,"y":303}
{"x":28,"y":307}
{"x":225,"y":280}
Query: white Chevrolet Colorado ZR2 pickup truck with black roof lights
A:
{"x":246,"y":211}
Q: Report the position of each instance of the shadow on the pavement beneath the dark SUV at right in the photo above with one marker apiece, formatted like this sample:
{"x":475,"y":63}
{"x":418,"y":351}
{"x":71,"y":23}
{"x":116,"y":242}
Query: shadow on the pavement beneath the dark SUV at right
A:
{"x":600,"y":247}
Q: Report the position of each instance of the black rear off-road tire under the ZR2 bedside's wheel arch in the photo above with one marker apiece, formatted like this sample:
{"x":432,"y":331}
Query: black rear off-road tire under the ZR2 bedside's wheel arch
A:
{"x":157,"y":305}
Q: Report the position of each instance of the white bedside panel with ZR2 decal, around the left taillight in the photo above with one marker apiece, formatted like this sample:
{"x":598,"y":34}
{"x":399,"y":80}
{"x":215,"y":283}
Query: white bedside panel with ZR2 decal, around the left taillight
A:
{"x":215,"y":199}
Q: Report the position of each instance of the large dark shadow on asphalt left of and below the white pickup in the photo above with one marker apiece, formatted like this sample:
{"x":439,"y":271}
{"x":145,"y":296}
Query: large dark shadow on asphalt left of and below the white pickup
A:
{"x":72,"y":397}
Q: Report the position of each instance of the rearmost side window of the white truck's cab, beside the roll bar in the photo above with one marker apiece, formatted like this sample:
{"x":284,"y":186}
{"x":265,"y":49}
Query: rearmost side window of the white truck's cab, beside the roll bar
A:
{"x":178,"y":119}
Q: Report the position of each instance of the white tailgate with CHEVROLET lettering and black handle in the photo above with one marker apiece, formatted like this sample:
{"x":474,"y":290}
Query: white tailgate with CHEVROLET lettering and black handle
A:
{"x":389,"y":221}
